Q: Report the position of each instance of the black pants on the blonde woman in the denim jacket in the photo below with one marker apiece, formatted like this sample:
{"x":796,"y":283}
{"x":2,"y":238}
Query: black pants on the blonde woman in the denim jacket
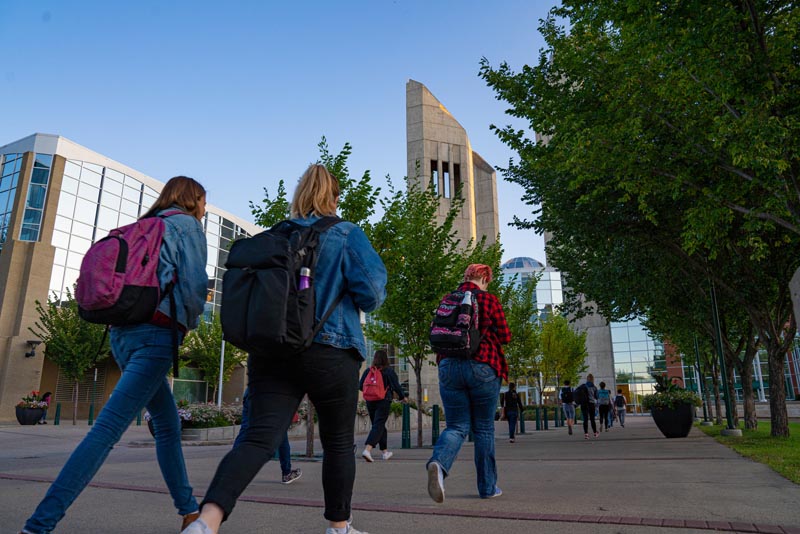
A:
{"x":276,"y":386}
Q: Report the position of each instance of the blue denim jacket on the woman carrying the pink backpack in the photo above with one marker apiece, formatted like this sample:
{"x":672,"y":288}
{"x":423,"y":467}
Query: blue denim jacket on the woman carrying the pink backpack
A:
{"x":184,"y":252}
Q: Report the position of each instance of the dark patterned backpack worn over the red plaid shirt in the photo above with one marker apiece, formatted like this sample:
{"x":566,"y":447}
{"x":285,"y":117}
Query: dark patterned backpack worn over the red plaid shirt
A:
{"x":455,"y":329}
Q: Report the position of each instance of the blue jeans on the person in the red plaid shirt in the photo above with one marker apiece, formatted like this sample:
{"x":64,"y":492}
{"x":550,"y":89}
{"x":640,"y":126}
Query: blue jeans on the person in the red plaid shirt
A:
{"x":469,"y":391}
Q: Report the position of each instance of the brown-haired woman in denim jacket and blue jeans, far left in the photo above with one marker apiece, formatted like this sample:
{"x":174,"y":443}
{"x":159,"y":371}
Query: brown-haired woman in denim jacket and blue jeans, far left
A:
{"x":144,"y":353}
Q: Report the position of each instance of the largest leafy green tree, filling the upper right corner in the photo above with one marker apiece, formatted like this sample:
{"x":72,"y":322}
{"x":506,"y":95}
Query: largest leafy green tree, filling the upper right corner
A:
{"x":682,"y":117}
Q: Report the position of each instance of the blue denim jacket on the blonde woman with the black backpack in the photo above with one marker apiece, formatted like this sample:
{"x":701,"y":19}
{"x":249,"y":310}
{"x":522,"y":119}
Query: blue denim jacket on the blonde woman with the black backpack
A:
{"x":346,"y":262}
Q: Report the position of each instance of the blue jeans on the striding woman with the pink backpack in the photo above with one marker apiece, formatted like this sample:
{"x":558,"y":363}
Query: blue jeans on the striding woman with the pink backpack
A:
{"x":144,"y":354}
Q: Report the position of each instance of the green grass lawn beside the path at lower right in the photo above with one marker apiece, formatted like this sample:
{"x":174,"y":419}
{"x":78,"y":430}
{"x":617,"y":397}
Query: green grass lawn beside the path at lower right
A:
{"x":781,"y":454}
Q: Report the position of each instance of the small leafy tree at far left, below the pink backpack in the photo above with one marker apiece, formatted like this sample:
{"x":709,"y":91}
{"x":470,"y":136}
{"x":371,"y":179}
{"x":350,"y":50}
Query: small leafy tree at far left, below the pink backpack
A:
{"x":70,"y":342}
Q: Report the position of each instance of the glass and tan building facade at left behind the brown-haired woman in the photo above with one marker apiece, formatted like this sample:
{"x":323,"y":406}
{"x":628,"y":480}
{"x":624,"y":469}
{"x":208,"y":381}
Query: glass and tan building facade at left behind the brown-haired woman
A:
{"x":56,"y":199}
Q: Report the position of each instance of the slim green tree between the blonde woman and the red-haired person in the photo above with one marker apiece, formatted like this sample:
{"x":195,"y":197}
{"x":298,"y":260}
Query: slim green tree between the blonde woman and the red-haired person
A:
{"x":424,"y":260}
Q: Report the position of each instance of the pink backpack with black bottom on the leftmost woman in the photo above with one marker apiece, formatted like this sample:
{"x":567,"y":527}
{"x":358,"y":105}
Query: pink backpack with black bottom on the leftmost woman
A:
{"x":118,"y":282}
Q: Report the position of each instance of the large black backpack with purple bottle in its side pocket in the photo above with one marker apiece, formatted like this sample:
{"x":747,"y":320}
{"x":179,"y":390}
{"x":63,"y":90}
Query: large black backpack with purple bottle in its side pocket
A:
{"x":263,"y":309}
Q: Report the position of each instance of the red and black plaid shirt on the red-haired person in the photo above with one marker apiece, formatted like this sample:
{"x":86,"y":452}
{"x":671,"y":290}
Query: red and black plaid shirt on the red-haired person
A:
{"x":494,"y":330}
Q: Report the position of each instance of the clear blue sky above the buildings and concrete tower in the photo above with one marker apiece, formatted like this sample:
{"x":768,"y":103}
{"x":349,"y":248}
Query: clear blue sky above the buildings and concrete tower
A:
{"x":238,"y":94}
